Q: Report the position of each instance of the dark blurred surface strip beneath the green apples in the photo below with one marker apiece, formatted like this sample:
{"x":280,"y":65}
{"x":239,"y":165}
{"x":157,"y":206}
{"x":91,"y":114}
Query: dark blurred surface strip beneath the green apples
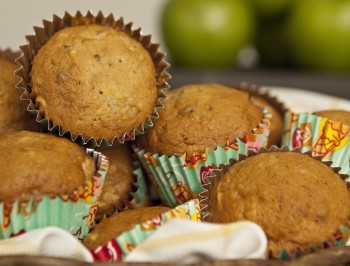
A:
{"x":331,"y":84}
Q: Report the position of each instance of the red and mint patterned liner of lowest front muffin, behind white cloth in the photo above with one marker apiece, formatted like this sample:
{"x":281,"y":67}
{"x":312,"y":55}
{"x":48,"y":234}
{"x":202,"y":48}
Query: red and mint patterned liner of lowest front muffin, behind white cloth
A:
{"x":116,"y":249}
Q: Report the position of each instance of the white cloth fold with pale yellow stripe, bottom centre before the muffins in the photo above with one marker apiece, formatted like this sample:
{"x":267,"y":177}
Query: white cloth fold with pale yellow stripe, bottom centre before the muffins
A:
{"x":184,"y":241}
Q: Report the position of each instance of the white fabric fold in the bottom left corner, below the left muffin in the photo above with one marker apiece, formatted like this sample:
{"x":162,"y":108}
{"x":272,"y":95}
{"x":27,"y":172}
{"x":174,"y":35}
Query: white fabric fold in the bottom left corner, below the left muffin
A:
{"x":49,"y":241}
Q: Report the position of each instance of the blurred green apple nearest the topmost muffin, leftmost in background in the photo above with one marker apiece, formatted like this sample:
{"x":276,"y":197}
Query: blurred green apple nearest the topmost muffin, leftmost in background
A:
{"x":207,"y":33}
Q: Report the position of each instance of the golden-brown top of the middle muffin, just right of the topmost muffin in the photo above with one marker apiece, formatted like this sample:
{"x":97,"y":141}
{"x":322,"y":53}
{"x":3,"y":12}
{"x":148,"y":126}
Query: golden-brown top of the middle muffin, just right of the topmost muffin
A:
{"x":196,"y":117}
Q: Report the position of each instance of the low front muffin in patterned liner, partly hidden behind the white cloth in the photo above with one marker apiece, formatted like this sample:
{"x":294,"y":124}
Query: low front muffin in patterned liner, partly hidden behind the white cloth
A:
{"x":115,"y":237}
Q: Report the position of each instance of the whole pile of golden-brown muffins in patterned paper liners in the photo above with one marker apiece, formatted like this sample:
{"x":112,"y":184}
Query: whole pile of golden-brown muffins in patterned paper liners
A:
{"x":95,"y":82}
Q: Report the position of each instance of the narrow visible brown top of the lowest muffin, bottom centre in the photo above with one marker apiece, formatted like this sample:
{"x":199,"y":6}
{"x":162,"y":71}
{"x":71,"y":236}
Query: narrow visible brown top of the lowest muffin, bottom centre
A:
{"x":117,"y":224}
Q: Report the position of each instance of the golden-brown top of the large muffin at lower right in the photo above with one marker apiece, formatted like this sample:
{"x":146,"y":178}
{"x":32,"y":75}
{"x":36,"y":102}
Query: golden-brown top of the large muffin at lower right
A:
{"x":296,"y":199}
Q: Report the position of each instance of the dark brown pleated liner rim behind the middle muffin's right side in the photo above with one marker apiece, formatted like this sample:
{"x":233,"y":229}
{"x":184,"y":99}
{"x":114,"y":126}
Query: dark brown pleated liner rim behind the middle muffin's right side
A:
{"x":264,"y":94}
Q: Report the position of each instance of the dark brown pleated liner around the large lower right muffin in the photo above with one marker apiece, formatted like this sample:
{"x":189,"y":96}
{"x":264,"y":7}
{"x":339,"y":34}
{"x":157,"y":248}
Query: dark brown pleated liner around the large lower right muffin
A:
{"x":339,"y":238}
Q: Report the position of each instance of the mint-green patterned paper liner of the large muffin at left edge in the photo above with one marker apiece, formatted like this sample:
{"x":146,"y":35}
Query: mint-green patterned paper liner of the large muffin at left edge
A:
{"x":74,"y":213}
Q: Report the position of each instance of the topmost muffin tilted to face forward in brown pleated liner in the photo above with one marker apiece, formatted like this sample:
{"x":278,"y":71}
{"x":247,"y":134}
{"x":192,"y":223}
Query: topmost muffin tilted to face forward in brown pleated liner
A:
{"x":94,"y":78}
